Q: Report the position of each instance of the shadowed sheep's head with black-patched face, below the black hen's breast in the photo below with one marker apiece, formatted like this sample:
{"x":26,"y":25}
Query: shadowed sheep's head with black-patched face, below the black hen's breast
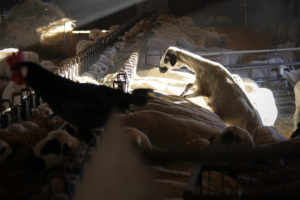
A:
{"x":55,"y":147}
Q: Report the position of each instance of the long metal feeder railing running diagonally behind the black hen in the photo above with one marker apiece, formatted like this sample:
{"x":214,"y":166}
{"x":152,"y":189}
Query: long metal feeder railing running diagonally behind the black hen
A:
{"x":69,"y":68}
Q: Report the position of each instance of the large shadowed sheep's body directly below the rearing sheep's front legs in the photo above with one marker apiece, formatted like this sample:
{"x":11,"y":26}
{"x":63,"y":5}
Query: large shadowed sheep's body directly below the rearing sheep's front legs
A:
{"x":175,"y":132}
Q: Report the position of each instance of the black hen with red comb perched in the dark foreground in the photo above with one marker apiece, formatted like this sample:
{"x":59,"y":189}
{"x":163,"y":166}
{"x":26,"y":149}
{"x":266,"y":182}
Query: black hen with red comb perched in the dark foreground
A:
{"x":87,"y":106}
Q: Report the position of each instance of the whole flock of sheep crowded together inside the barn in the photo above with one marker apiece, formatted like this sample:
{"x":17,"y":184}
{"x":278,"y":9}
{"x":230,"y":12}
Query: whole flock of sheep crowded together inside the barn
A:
{"x":192,"y":109}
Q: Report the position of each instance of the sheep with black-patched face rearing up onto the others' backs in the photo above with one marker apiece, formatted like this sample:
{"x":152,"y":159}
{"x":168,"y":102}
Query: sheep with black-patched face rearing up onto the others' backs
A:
{"x":215,"y":82}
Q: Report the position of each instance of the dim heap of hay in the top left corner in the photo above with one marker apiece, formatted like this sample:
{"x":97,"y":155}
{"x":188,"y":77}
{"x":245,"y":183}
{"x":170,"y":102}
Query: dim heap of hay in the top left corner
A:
{"x":19,"y":30}
